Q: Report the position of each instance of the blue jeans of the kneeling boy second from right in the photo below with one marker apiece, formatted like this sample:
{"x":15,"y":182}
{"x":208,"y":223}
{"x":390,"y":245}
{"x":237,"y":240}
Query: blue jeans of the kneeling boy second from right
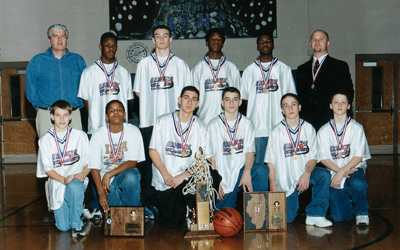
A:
{"x":320,"y":180}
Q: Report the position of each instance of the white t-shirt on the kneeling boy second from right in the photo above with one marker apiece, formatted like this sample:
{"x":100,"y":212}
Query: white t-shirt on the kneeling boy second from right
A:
{"x":289,"y":166}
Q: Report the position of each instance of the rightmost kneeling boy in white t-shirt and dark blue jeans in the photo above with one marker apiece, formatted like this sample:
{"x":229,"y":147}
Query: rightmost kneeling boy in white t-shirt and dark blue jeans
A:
{"x":343,"y":148}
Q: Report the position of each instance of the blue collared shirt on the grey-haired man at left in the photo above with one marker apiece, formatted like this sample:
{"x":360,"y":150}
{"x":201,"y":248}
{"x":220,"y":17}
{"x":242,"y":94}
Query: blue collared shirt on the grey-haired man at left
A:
{"x":49,"y":79}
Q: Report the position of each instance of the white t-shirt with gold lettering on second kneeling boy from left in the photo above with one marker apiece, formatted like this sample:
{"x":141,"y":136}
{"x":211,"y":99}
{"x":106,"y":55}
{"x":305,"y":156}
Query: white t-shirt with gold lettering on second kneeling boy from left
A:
{"x":101,"y":153}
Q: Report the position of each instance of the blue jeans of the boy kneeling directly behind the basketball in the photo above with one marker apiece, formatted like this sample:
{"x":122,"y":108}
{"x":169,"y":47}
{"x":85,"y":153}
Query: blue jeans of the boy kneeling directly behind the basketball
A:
{"x":259,"y":180}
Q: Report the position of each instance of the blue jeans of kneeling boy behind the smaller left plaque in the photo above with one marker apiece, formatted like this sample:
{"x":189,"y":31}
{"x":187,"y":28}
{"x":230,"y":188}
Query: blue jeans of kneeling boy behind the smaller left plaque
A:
{"x":125,"y":189}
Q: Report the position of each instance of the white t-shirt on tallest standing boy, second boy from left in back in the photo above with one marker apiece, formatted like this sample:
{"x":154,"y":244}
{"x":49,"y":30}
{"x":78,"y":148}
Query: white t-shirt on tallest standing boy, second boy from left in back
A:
{"x":159,"y":97}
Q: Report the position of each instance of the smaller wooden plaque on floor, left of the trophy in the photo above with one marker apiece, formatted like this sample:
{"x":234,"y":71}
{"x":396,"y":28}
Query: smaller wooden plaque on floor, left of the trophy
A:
{"x":124,"y":221}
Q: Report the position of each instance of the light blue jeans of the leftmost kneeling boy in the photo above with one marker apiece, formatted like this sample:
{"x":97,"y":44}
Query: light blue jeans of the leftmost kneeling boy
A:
{"x":69,"y":214}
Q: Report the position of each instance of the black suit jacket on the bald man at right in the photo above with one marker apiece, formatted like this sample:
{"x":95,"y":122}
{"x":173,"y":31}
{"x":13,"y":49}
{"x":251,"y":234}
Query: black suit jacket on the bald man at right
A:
{"x":333,"y":76}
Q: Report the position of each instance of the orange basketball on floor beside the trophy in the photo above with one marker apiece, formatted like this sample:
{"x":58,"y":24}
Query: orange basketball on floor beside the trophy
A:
{"x":227,"y":222}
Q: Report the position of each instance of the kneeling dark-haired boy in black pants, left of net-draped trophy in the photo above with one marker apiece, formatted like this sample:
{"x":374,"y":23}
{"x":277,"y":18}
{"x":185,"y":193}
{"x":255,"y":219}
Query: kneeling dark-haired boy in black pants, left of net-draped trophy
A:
{"x":176,"y":140}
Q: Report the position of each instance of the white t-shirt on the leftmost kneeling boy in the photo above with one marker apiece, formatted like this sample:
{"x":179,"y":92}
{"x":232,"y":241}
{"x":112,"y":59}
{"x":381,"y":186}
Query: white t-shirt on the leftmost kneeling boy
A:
{"x":76,"y":157}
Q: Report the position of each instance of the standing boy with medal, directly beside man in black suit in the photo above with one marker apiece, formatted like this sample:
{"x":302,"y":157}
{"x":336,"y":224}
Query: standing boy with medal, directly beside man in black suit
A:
{"x":264,"y":82}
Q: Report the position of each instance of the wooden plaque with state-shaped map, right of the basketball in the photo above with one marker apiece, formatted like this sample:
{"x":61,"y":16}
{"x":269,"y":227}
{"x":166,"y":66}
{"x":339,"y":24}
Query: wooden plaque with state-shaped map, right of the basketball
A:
{"x":265,"y":211}
